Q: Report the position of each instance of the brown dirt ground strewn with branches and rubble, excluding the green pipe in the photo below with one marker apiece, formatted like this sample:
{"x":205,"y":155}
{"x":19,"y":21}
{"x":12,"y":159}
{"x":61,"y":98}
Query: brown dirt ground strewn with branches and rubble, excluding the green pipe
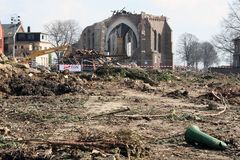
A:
{"x":116,"y":114}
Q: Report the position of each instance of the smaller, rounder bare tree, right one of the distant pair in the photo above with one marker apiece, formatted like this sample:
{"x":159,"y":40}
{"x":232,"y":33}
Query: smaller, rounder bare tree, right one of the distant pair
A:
{"x":208,"y":54}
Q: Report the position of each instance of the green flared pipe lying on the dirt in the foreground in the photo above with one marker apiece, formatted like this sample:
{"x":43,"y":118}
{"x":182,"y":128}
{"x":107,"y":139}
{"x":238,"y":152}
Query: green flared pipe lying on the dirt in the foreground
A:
{"x":194,"y":135}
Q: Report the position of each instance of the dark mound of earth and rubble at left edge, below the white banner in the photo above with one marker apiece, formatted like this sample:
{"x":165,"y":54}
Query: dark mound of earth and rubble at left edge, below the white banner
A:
{"x":22,"y":82}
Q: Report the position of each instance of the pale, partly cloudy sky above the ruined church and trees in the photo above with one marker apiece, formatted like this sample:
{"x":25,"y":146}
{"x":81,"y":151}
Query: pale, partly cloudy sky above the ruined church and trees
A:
{"x":199,"y":17}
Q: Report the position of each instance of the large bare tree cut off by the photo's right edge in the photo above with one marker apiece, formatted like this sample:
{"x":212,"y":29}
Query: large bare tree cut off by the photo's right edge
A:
{"x":230,"y":30}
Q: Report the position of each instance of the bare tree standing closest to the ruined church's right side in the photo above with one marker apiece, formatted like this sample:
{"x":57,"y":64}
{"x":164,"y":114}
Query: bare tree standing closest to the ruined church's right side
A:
{"x":188,"y":49}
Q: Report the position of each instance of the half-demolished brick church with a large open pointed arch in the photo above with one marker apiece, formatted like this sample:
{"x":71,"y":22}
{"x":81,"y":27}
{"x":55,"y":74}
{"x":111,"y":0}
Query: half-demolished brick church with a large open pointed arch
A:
{"x":142,"y":38}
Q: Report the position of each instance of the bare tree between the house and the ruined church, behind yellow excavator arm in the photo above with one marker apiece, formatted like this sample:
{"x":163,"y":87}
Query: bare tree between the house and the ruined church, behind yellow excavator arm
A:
{"x":62,"y":33}
